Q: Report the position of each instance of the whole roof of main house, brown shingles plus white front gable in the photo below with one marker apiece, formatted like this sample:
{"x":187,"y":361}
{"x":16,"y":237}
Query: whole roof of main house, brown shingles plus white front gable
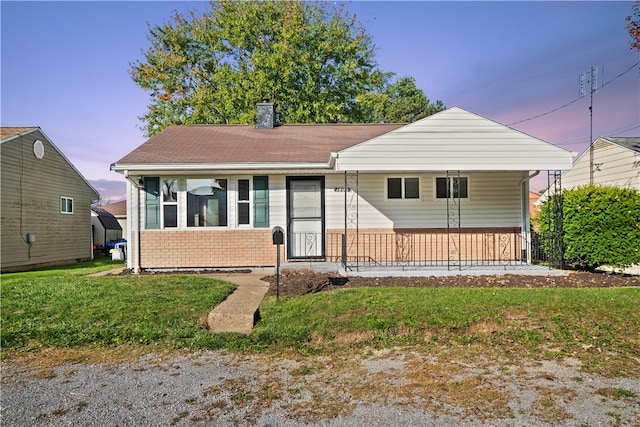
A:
{"x":454,"y":139}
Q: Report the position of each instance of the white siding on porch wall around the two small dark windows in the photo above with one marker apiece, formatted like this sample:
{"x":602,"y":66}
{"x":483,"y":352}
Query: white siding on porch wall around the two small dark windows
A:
{"x":494,"y":201}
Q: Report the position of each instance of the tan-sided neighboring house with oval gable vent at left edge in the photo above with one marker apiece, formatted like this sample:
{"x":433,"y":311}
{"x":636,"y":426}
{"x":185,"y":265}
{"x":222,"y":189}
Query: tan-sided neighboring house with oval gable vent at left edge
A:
{"x":46,"y":203}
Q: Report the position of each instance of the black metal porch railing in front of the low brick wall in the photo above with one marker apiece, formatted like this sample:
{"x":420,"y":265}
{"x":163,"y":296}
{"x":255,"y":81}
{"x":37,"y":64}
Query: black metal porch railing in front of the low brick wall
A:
{"x":425,"y":249}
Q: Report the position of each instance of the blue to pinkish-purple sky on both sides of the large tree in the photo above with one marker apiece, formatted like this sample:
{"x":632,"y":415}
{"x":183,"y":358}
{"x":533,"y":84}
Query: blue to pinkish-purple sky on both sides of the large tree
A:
{"x":65,"y":67}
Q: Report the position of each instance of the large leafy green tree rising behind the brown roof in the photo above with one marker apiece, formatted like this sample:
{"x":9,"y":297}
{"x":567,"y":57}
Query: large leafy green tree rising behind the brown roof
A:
{"x":315,"y":61}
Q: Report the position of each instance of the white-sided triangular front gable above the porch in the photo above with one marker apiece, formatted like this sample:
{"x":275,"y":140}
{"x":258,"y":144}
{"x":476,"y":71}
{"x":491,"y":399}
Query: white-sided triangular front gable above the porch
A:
{"x":454,"y":139}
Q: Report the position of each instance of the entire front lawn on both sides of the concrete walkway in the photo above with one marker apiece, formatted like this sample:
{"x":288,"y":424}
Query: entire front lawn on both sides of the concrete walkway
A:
{"x":65,"y":308}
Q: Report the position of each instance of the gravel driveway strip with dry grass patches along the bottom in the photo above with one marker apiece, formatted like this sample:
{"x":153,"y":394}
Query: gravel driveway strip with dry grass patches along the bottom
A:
{"x":378,"y":388}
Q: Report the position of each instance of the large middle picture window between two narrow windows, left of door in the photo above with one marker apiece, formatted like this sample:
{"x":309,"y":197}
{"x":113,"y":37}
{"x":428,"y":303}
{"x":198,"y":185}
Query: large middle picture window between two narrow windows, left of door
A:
{"x":206,"y":202}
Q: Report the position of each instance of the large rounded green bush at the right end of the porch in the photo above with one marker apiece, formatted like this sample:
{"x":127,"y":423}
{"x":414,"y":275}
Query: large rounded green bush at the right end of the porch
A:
{"x":600,"y":226}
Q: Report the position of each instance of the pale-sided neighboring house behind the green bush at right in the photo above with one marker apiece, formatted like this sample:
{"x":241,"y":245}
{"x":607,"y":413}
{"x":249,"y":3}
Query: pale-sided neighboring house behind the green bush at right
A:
{"x":616,"y":162}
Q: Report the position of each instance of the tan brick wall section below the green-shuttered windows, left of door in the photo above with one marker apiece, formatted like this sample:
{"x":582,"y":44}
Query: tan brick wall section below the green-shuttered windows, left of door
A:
{"x":207,"y":248}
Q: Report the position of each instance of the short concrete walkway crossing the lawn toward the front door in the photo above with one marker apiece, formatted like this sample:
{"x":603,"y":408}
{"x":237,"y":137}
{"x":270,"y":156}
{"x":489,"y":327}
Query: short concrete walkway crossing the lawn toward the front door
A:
{"x":238,"y":313}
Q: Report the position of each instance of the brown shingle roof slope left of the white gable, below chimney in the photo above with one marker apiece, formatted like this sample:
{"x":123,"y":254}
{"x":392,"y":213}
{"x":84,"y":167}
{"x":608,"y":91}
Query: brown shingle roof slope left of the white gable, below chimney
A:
{"x":245,"y":143}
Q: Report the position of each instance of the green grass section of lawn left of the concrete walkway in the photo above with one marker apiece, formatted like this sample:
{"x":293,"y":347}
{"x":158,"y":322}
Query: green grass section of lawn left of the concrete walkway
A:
{"x":66,"y":308}
